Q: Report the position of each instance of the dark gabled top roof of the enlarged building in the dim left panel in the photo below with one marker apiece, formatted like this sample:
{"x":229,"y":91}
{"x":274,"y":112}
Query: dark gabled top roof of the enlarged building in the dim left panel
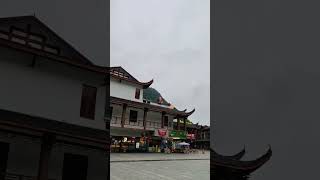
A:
{"x":29,"y":34}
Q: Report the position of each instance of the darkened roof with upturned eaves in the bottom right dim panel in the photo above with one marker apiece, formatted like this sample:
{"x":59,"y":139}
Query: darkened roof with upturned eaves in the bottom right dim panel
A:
{"x":233,"y":168}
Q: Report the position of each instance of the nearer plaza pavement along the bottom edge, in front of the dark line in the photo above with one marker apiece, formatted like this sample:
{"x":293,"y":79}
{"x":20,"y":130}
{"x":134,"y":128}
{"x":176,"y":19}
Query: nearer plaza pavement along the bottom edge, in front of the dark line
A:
{"x":161,"y":170}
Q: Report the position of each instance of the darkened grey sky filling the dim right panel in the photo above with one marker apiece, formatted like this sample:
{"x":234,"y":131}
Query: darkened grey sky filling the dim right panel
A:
{"x":267,"y":74}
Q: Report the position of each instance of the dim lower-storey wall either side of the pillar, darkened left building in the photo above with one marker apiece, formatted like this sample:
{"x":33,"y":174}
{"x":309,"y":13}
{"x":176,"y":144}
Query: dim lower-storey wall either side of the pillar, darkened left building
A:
{"x":24,"y":155}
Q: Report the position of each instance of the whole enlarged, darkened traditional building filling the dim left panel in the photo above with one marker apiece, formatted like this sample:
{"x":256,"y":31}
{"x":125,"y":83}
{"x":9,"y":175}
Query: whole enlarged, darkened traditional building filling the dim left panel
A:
{"x":52,"y":107}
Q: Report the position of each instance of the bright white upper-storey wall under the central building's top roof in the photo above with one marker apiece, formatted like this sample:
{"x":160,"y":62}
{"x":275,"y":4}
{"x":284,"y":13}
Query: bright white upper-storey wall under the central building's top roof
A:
{"x":125,"y":90}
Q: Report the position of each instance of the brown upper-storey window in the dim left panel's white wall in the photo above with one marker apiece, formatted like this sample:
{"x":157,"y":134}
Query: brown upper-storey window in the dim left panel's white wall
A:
{"x":88,"y":102}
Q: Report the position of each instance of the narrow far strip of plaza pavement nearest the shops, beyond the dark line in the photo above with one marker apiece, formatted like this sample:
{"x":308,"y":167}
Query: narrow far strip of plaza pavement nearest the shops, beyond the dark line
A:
{"x":136,"y":157}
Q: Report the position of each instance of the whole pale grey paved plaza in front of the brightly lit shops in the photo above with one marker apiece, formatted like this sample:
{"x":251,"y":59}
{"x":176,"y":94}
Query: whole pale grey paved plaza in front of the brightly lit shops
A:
{"x":155,"y":166}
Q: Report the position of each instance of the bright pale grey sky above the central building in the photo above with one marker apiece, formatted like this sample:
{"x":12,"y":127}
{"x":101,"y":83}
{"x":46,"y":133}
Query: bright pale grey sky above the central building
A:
{"x":169,"y":41}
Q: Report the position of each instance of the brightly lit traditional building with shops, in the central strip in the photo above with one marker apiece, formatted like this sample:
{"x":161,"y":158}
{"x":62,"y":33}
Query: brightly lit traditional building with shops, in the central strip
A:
{"x":140,"y":117}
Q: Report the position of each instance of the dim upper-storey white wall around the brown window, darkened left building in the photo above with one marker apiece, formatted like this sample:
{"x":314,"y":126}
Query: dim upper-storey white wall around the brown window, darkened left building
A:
{"x":50,"y":90}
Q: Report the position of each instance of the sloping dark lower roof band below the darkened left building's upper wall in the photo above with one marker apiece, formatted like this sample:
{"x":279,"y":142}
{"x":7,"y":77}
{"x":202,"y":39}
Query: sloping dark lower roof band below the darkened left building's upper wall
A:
{"x":47,"y":125}
